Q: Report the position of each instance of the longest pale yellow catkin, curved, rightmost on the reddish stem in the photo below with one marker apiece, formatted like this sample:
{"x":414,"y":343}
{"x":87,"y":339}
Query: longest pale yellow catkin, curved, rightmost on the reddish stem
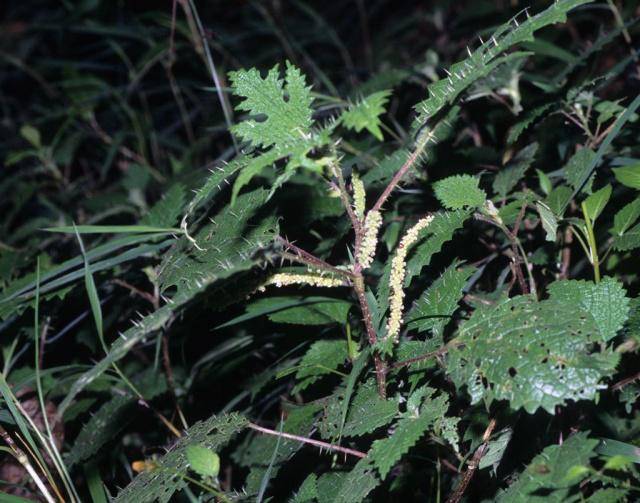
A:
{"x":396,"y":279}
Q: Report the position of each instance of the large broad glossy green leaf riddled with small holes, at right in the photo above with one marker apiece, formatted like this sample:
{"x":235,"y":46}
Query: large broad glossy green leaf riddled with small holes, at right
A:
{"x":533,"y":354}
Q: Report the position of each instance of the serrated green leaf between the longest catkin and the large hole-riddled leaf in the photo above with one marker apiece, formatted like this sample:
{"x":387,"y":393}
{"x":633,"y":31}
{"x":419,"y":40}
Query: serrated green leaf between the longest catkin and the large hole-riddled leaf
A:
{"x":435,"y":307}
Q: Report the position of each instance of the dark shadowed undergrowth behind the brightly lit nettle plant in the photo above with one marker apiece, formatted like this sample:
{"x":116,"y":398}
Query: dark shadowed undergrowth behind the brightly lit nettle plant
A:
{"x":123,"y":97}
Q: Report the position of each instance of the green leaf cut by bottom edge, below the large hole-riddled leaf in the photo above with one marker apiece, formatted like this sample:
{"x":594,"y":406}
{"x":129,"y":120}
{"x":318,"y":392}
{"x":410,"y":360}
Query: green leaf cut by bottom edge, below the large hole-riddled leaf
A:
{"x":545,"y":478}
